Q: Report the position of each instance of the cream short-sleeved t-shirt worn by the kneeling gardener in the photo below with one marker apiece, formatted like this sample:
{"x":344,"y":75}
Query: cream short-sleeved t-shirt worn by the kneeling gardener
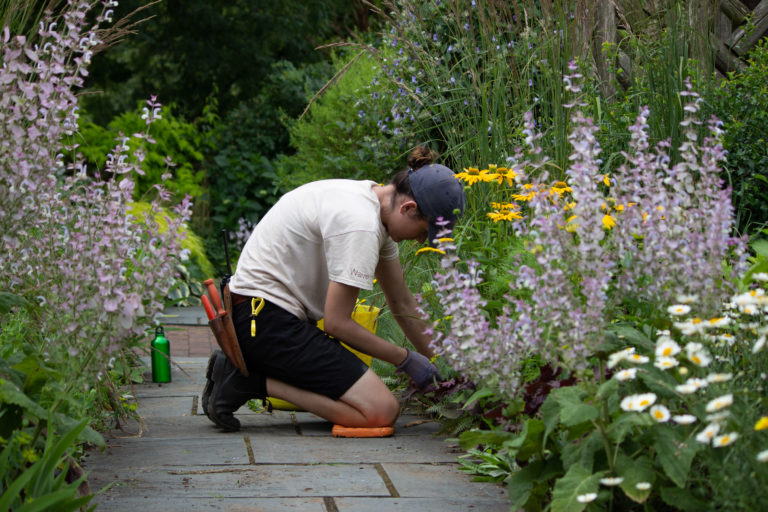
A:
{"x":328,"y":230}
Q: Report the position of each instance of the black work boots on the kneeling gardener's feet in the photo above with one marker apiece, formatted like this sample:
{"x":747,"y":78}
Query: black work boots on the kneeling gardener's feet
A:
{"x":227,"y":391}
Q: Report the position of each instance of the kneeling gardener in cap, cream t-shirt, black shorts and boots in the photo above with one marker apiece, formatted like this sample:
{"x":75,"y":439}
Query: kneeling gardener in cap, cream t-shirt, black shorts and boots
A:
{"x":308,"y":258}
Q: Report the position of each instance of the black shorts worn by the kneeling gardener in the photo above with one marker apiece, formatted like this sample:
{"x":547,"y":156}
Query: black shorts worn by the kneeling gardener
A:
{"x":295,"y":352}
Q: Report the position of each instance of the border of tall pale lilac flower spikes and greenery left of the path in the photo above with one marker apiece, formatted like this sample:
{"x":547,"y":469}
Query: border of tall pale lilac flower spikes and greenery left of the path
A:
{"x":83,"y":277}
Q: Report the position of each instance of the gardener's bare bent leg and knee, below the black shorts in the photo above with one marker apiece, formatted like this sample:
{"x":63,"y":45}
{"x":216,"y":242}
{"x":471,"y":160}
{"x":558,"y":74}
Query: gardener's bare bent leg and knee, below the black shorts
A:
{"x":368,"y":403}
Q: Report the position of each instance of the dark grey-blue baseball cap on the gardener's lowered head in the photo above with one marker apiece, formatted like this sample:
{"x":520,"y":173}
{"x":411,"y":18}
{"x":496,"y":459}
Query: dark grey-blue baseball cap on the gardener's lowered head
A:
{"x":439,"y":194}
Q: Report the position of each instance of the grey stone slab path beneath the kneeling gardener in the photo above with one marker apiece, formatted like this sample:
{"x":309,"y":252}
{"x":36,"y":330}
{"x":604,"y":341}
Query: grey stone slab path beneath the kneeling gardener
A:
{"x":279,"y":461}
